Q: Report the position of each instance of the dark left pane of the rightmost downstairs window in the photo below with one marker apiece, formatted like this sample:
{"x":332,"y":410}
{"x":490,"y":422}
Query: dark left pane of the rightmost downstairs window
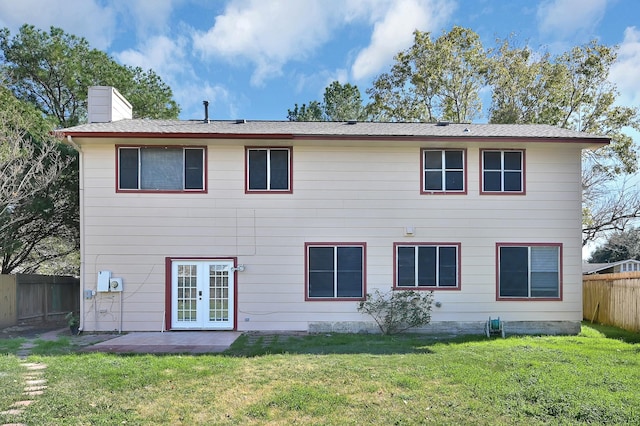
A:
{"x":514,"y":271}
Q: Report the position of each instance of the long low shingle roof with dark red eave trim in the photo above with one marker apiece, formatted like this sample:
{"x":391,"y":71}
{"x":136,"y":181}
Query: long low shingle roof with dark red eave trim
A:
{"x":295,"y":129}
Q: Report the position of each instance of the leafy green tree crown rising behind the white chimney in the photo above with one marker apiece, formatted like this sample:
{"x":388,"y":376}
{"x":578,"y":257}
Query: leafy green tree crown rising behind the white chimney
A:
{"x":54,"y":71}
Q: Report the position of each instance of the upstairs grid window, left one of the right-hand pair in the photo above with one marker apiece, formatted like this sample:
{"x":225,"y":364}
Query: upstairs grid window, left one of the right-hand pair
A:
{"x":443,"y":170}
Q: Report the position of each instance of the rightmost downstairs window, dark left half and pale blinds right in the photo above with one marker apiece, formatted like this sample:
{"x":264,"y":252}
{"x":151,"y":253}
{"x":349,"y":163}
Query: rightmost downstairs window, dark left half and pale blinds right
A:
{"x":529,"y":271}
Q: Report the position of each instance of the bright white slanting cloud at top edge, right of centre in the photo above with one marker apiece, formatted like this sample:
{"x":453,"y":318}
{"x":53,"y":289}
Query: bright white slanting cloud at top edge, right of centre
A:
{"x":393,"y":32}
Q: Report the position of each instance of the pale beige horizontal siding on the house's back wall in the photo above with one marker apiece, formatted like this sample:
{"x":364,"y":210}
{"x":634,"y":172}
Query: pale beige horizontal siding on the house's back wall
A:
{"x":340,"y":194}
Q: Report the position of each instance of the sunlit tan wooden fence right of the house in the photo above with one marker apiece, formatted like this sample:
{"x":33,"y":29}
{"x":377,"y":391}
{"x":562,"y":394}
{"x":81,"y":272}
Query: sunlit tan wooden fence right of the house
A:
{"x":612,"y":299}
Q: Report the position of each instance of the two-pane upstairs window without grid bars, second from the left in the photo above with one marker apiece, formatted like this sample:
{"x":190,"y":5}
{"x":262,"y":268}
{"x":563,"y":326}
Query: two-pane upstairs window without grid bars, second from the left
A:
{"x":268,"y":170}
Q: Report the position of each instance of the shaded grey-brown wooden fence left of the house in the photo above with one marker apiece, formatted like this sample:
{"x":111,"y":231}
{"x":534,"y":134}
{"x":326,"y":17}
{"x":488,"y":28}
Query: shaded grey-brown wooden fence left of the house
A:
{"x":27,"y":297}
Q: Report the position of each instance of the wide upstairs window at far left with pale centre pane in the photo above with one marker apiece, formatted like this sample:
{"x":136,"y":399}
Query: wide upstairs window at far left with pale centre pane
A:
{"x":172,"y":169}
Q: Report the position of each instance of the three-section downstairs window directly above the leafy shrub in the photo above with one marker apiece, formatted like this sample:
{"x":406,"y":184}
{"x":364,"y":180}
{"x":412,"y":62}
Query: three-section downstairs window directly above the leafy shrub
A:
{"x":427,"y":266}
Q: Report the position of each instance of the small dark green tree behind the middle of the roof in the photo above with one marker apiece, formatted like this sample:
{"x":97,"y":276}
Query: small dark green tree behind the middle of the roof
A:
{"x":341,"y":102}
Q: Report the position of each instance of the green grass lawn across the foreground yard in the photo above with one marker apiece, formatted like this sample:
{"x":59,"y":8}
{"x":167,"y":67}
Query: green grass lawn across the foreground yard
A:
{"x":348,"y":379}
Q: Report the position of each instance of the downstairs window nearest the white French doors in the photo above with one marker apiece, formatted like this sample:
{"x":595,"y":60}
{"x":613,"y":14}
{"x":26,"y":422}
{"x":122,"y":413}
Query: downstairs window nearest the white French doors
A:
{"x":335,"y":271}
